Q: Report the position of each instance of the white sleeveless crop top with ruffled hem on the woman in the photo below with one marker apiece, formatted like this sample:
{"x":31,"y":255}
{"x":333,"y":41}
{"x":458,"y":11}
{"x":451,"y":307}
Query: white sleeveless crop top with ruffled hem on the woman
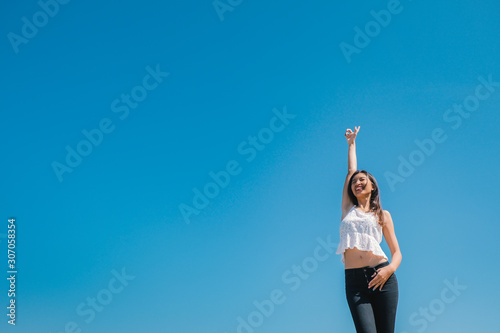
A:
{"x":361,"y":230}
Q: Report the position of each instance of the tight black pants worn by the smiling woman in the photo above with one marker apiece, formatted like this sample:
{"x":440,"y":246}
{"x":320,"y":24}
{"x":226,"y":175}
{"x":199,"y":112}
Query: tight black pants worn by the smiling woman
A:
{"x":372,"y":311}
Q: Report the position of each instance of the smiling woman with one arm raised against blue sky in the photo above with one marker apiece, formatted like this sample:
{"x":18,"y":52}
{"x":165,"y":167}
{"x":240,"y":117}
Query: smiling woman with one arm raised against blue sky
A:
{"x":370,"y":280}
